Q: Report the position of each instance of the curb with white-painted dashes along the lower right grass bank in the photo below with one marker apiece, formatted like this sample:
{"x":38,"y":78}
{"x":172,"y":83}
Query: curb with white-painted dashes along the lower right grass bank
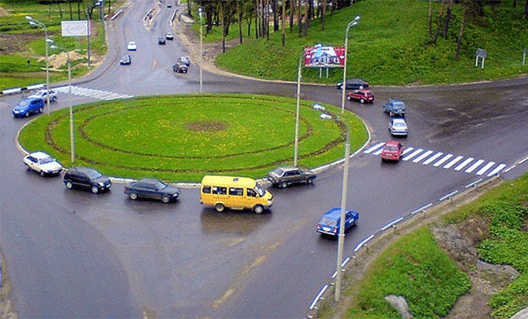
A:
{"x":312,"y":310}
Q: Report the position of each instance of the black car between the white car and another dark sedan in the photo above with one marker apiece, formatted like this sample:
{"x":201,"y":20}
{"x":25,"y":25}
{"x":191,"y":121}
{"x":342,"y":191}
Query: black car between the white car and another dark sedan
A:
{"x":87,"y":178}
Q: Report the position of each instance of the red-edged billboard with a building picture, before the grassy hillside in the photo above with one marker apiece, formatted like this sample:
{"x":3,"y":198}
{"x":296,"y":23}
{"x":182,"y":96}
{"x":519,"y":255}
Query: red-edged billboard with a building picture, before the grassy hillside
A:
{"x":320,"y":56}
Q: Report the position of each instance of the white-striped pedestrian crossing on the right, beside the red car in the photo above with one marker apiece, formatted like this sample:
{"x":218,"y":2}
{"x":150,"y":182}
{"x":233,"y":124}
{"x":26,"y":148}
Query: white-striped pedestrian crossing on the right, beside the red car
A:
{"x":447,"y":161}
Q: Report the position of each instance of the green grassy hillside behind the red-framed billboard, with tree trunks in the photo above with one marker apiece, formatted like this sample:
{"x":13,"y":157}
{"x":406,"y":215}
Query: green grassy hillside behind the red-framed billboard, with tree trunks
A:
{"x":391,"y":45}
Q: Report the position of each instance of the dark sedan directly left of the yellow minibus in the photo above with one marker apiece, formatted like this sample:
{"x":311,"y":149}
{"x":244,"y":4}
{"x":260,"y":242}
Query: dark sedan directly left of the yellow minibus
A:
{"x":153,"y":189}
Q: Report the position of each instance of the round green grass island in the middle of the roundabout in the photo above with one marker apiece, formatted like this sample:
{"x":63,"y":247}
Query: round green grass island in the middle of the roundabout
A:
{"x":184,"y":137}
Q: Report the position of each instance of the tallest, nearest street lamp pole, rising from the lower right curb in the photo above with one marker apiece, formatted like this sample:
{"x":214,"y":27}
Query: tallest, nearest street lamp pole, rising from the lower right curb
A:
{"x":341,"y":238}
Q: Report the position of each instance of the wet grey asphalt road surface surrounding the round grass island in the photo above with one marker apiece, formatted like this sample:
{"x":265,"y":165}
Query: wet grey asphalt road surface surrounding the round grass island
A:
{"x":75,"y":254}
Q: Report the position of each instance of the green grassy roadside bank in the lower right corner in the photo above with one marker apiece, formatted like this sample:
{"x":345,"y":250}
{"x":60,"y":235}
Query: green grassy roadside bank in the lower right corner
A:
{"x":414,"y":266}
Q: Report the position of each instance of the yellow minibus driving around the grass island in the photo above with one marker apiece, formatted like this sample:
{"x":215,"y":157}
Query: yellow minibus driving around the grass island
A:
{"x":234,"y":193}
